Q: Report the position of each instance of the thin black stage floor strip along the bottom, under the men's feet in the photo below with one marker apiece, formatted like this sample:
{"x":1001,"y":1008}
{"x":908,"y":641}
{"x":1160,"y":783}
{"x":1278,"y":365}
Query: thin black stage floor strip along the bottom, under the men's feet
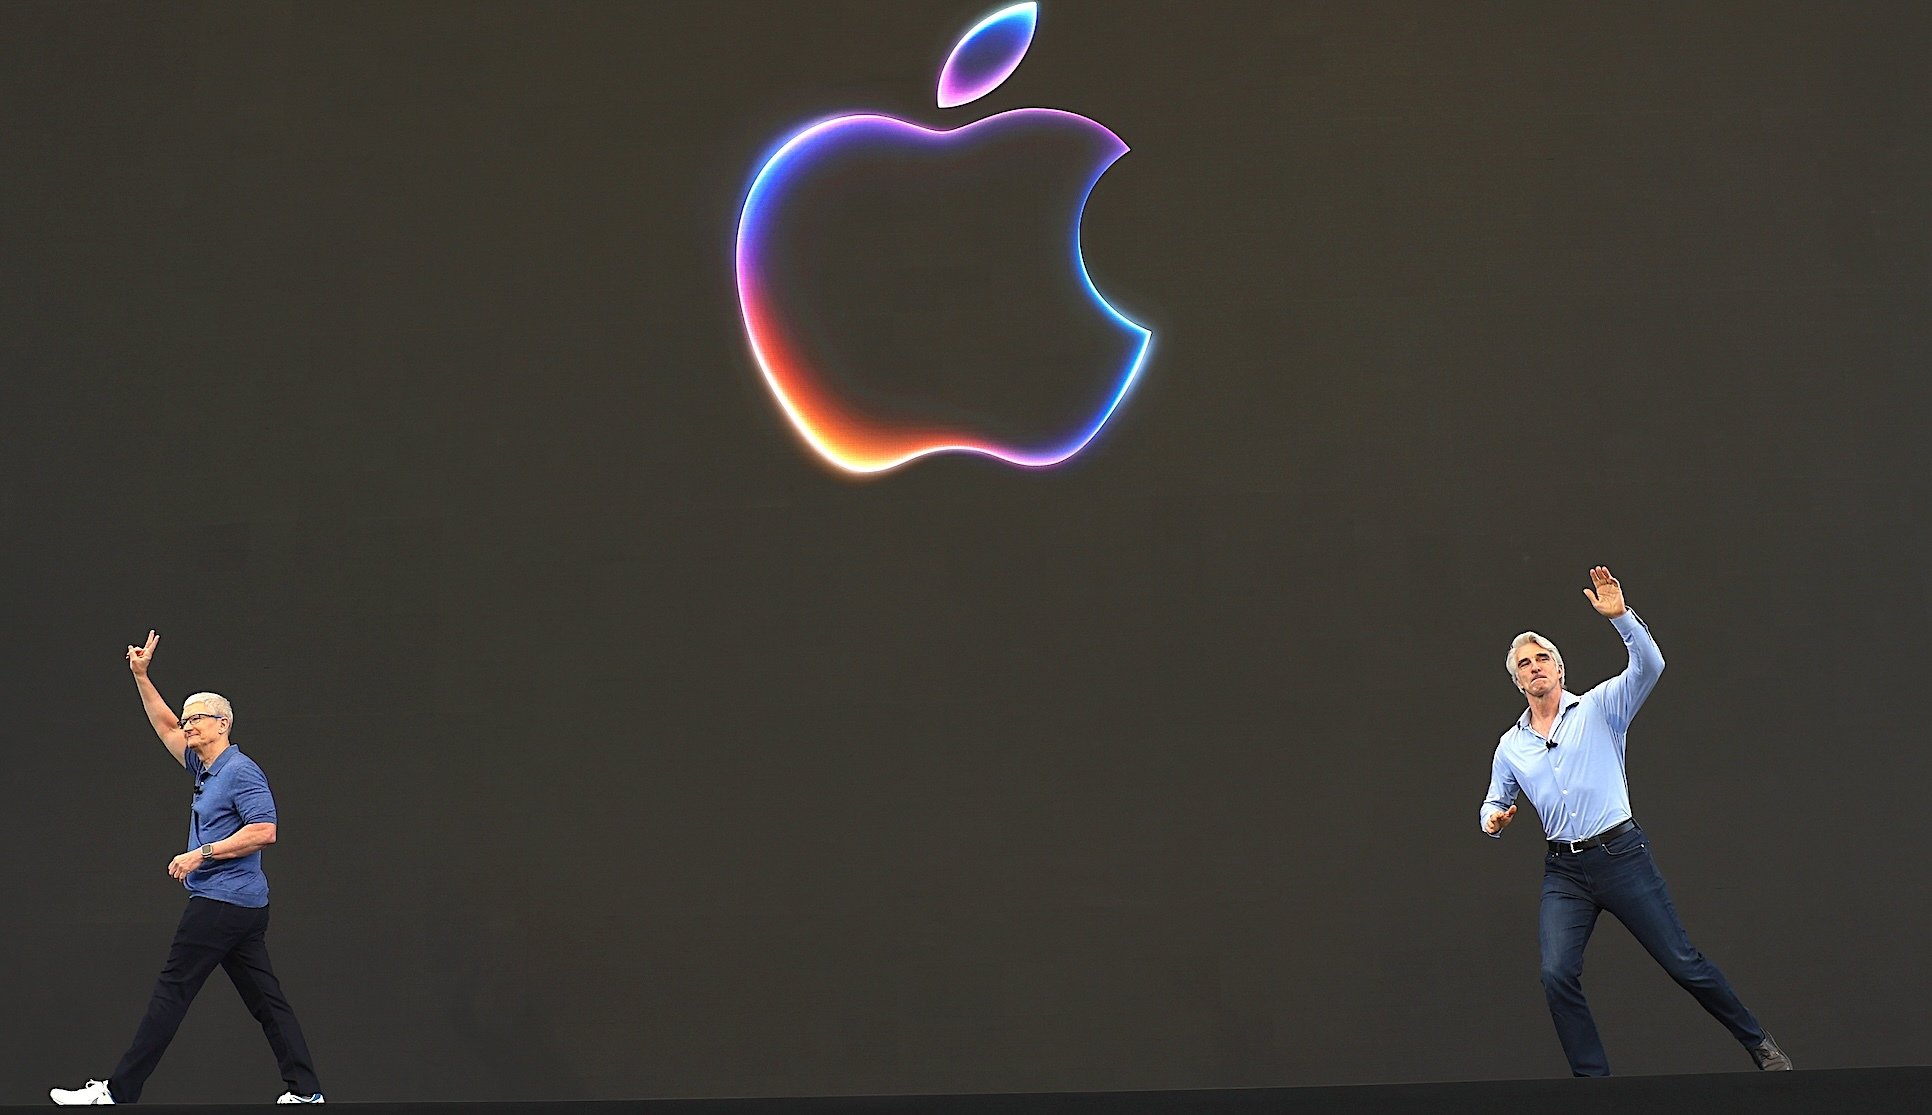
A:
{"x":1705,"y":1095}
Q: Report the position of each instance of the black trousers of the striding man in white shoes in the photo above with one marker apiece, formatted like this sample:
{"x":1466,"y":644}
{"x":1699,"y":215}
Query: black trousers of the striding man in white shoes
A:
{"x":215,"y":934}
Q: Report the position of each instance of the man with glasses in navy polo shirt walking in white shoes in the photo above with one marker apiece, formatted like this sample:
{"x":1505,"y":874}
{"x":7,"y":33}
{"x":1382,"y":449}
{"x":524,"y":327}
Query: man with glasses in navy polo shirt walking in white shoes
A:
{"x":227,"y":913}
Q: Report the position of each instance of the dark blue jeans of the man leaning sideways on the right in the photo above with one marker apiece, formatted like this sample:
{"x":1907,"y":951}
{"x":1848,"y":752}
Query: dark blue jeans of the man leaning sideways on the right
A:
{"x":1620,"y":878}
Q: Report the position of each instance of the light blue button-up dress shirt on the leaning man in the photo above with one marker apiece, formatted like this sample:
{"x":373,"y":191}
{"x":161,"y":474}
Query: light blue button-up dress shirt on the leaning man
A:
{"x":1577,"y":786}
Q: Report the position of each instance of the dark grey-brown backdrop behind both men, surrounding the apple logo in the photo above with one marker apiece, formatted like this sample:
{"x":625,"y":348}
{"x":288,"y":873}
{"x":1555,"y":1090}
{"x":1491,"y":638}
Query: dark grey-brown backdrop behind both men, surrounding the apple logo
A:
{"x":385,"y":358}
